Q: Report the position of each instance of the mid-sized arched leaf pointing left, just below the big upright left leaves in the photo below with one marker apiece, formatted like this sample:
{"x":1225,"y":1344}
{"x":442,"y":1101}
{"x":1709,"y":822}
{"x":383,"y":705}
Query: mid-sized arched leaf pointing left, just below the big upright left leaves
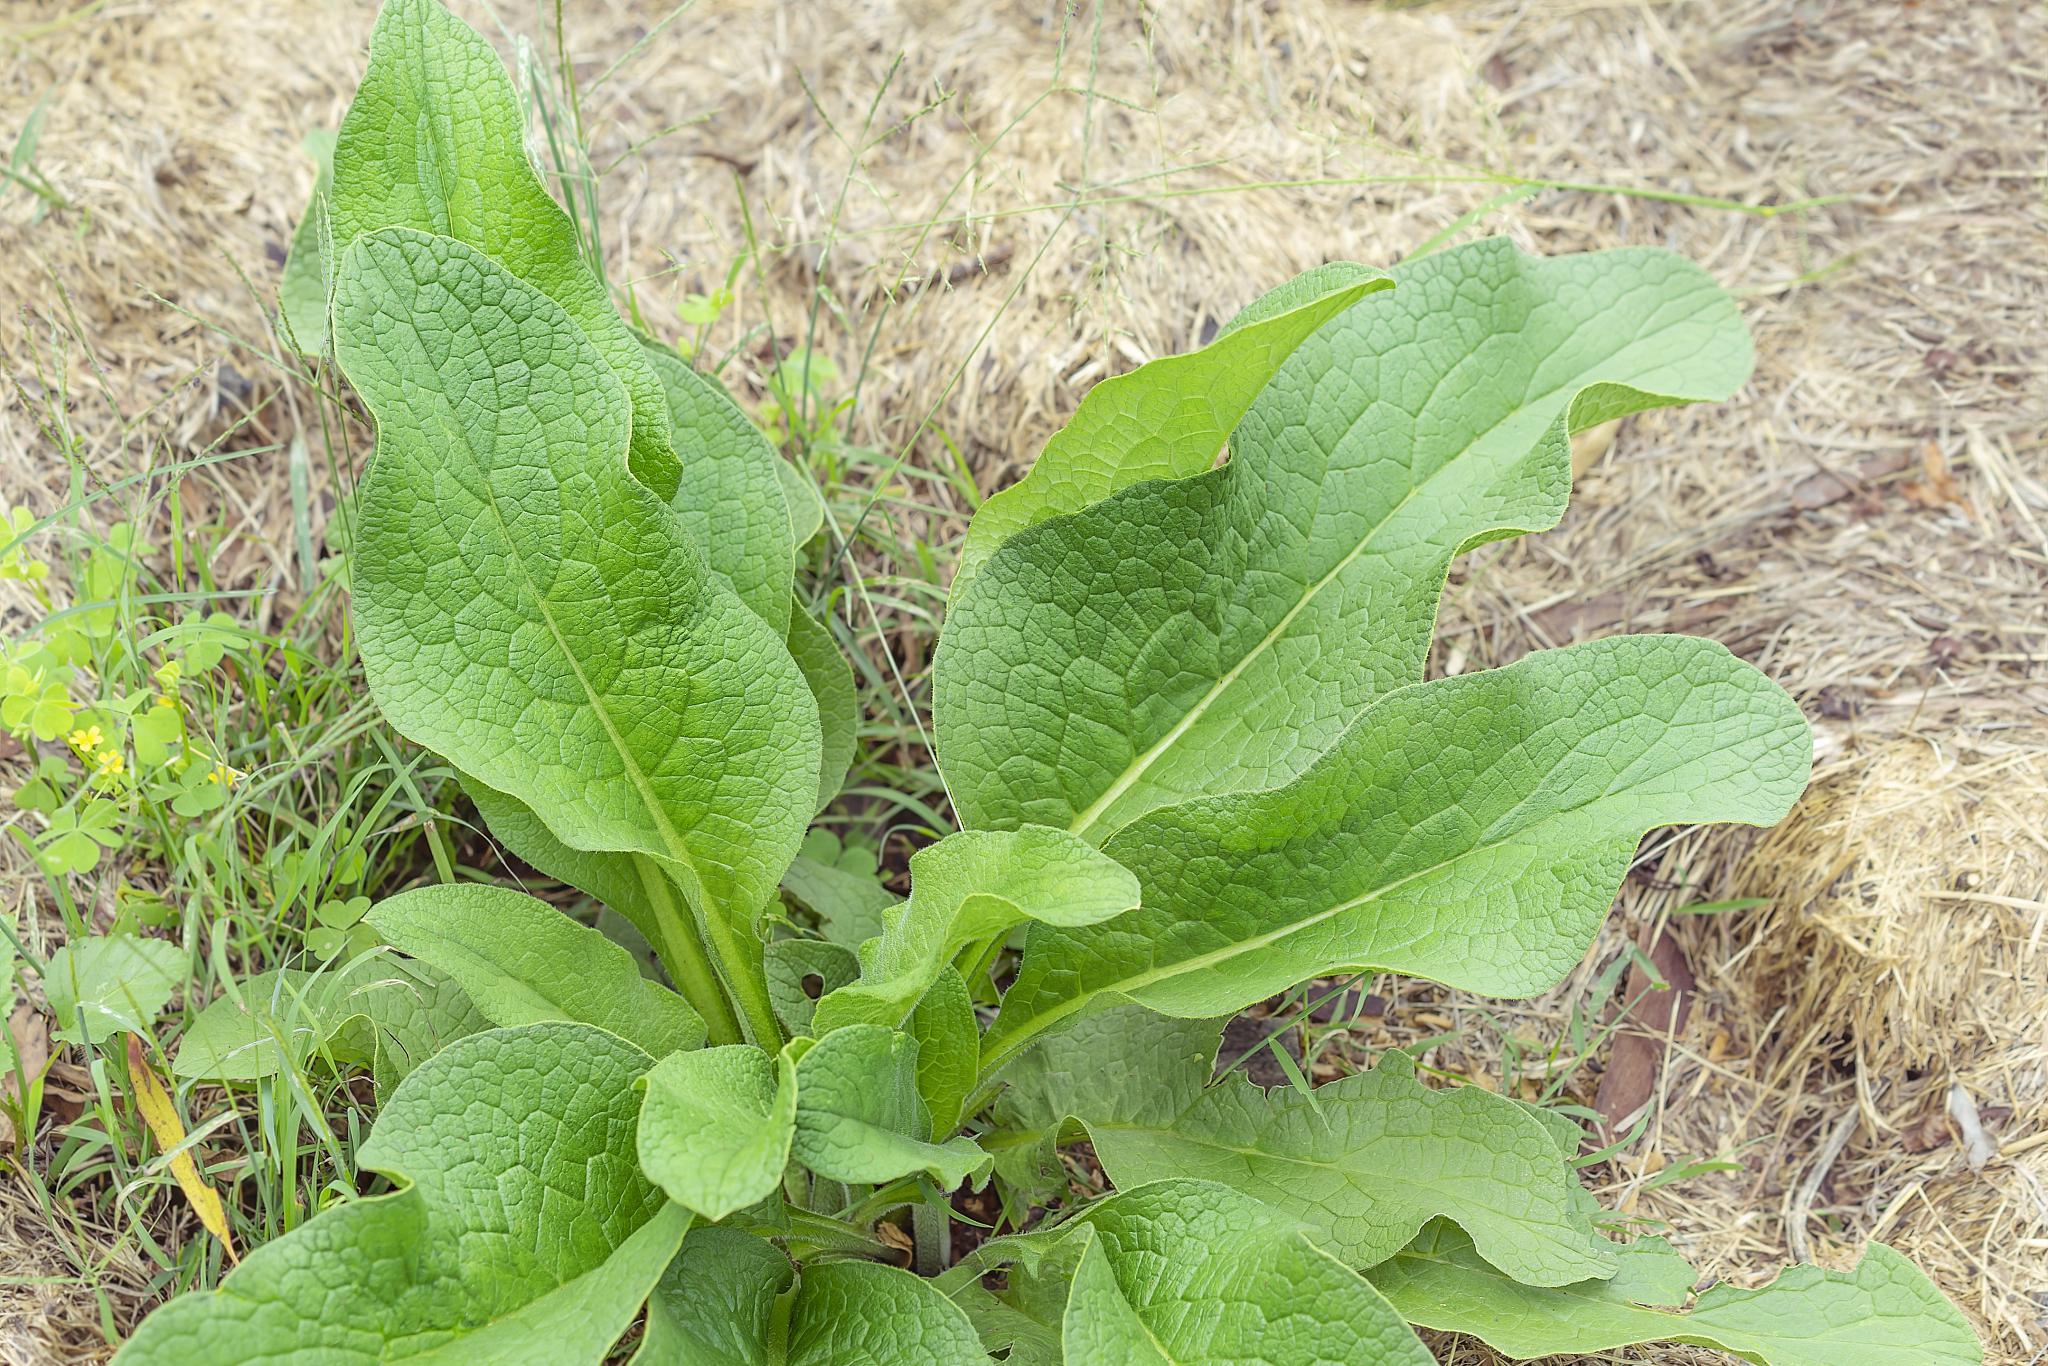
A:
{"x":521,"y":962}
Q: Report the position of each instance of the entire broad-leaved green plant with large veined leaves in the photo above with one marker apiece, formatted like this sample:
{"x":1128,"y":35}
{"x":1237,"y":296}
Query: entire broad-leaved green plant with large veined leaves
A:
{"x":1183,"y":718}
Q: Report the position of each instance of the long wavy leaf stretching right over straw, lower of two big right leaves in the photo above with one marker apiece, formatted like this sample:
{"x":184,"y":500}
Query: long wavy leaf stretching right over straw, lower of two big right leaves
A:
{"x":1471,"y":830}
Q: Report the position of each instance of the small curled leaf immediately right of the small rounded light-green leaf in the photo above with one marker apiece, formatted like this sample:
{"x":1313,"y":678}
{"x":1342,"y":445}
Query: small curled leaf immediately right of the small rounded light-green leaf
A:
{"x":861,"y":1119}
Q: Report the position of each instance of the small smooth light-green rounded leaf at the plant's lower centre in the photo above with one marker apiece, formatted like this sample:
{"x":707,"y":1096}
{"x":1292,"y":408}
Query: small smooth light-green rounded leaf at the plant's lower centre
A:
{"x":718,"y":1125}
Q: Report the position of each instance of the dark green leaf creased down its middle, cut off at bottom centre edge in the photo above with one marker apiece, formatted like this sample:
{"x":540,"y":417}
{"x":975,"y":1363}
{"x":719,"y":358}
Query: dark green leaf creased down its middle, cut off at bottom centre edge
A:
{"x":716,"y":1308}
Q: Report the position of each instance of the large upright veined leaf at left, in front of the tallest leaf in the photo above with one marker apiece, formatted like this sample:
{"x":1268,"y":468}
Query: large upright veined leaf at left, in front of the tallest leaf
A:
{"x":542,"y":620}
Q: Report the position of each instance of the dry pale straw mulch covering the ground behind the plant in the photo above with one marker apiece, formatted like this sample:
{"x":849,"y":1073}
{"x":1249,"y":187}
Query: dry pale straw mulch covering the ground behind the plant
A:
{"x":1869,"y":521}
